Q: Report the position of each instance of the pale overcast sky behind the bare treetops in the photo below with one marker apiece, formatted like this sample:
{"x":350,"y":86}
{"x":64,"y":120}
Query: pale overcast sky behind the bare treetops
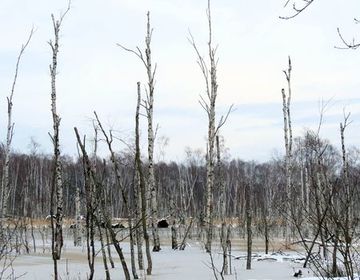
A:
{"x":95,"y":74}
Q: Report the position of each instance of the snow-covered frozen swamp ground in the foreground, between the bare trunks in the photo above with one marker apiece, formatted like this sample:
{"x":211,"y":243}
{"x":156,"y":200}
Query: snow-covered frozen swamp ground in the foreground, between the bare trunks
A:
{"x":192,"y":263}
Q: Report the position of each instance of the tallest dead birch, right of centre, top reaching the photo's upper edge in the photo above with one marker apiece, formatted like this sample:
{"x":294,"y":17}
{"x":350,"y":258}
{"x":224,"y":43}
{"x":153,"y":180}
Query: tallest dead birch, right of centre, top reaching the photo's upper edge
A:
{"x":208,"y":104}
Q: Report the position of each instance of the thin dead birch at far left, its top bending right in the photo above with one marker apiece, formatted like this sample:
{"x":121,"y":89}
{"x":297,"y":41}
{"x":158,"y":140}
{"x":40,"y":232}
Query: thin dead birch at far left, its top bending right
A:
{"x":5,"y":184}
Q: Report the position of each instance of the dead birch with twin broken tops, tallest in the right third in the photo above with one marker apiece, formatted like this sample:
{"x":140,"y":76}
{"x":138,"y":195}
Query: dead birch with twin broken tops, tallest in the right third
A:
{"x":288,"y":148}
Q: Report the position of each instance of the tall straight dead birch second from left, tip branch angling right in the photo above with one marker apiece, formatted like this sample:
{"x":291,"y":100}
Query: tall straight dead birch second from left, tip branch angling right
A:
{"x":56,"y":213}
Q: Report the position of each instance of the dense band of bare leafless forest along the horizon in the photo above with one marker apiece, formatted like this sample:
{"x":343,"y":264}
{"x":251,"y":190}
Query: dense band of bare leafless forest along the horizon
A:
{"x":183,"y":183}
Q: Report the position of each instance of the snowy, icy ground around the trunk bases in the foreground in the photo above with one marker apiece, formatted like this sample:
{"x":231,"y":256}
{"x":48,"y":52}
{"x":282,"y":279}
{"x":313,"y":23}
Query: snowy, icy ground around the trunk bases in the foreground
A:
{"x":192,"y":263}
